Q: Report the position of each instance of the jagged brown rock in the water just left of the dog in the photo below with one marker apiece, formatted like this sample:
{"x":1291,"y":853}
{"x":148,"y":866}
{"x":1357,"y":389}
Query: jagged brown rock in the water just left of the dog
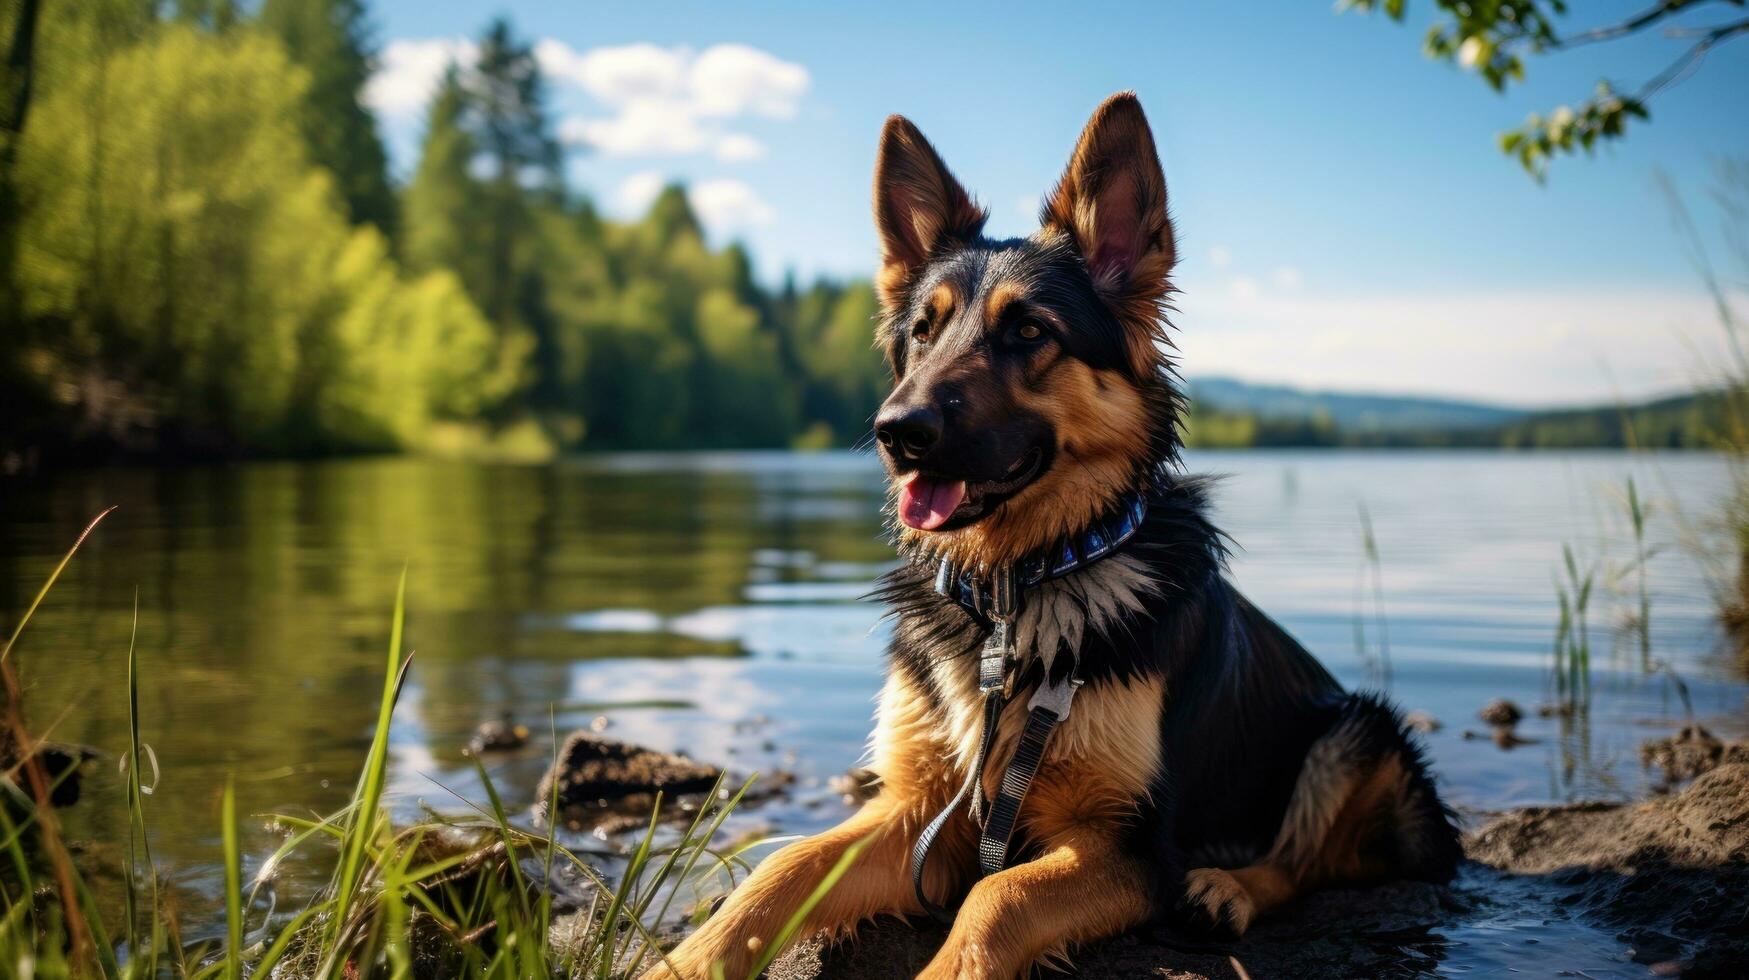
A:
{"x":601,"y":773}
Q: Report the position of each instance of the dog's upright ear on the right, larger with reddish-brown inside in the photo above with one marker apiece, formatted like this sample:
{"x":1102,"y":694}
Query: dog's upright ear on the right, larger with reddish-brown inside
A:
{"x":1113,"y":206}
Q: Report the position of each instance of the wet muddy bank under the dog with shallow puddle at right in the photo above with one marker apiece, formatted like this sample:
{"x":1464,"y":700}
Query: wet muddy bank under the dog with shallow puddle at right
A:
{"x":1647,"y":890}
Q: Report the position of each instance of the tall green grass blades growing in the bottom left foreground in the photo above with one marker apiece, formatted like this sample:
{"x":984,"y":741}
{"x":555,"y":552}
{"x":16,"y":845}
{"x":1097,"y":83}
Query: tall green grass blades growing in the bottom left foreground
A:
{"x":457,"y":897}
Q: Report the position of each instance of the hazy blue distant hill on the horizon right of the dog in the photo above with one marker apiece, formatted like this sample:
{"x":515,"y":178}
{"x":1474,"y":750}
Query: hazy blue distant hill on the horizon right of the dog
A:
{"x":1351,"y":414}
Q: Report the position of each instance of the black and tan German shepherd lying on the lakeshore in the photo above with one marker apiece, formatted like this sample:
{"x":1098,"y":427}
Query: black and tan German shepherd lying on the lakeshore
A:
{"x":1209,"y":769}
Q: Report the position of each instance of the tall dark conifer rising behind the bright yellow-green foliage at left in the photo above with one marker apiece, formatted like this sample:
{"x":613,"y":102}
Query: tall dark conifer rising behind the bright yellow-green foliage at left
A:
{"x":331,"y":41}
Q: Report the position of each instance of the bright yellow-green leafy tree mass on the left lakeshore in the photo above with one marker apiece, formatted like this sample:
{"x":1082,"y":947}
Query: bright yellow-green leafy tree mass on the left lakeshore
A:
{"x":192,"y":272}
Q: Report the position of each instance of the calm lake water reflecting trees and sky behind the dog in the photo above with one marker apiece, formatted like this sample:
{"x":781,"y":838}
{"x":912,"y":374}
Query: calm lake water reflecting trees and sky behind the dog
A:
{"x":727,"y":589}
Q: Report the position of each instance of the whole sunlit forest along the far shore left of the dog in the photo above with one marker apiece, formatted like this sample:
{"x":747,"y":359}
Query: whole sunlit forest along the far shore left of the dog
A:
{"x":202,"y":253}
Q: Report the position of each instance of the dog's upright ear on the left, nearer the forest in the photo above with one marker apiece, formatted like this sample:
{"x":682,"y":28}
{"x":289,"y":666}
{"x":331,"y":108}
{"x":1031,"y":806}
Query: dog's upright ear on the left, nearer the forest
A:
{"x":919,"y":207}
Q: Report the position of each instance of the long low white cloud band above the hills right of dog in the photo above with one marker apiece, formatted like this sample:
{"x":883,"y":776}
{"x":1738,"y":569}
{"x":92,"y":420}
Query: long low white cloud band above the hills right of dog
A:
{"x":1531,"y":347}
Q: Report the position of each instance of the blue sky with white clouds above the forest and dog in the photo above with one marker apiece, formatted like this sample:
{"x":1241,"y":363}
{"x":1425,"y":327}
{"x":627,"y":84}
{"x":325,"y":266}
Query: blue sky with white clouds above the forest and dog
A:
{"x":1344,"y":216}
